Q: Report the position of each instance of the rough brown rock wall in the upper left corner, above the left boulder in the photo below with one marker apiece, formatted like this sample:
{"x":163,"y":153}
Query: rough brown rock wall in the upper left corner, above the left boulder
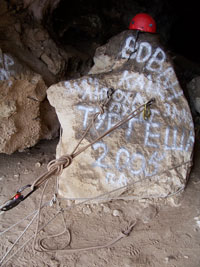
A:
{"x":24,"y":34}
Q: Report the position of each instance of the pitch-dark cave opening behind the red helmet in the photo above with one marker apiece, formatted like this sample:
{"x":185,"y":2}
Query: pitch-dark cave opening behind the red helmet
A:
{"x":86,"y":25}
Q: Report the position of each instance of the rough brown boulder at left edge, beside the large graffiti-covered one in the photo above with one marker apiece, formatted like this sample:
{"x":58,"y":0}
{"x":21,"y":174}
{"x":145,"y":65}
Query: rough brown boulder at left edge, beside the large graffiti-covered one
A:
{"x":22,"y":106}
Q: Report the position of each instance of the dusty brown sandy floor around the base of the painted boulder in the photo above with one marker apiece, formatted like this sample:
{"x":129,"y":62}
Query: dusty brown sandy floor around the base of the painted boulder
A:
{"x":167,"y":233}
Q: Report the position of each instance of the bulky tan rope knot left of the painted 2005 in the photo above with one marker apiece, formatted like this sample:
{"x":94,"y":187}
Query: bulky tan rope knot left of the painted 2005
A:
{"x":60,"y":164}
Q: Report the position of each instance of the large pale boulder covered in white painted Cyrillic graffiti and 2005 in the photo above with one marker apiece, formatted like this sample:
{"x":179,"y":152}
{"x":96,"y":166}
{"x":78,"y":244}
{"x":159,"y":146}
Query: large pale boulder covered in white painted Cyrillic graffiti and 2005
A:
{"x":143,"y":158}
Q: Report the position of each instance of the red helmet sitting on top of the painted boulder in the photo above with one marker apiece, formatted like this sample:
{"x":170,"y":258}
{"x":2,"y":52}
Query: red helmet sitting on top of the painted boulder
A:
{"x":143,"y":22}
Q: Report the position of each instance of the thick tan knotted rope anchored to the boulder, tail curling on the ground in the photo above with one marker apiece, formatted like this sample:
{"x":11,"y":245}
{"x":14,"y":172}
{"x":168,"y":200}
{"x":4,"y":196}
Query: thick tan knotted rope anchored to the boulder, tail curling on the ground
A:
{"x":56,"y":166}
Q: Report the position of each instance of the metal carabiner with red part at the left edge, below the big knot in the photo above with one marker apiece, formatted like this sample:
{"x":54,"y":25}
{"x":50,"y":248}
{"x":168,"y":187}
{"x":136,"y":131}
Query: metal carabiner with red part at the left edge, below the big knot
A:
{"x":16,"y":199}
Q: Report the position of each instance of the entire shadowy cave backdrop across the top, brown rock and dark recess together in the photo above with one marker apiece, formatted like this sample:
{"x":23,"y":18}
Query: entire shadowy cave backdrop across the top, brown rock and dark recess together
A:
{"x":58,"y":40}
